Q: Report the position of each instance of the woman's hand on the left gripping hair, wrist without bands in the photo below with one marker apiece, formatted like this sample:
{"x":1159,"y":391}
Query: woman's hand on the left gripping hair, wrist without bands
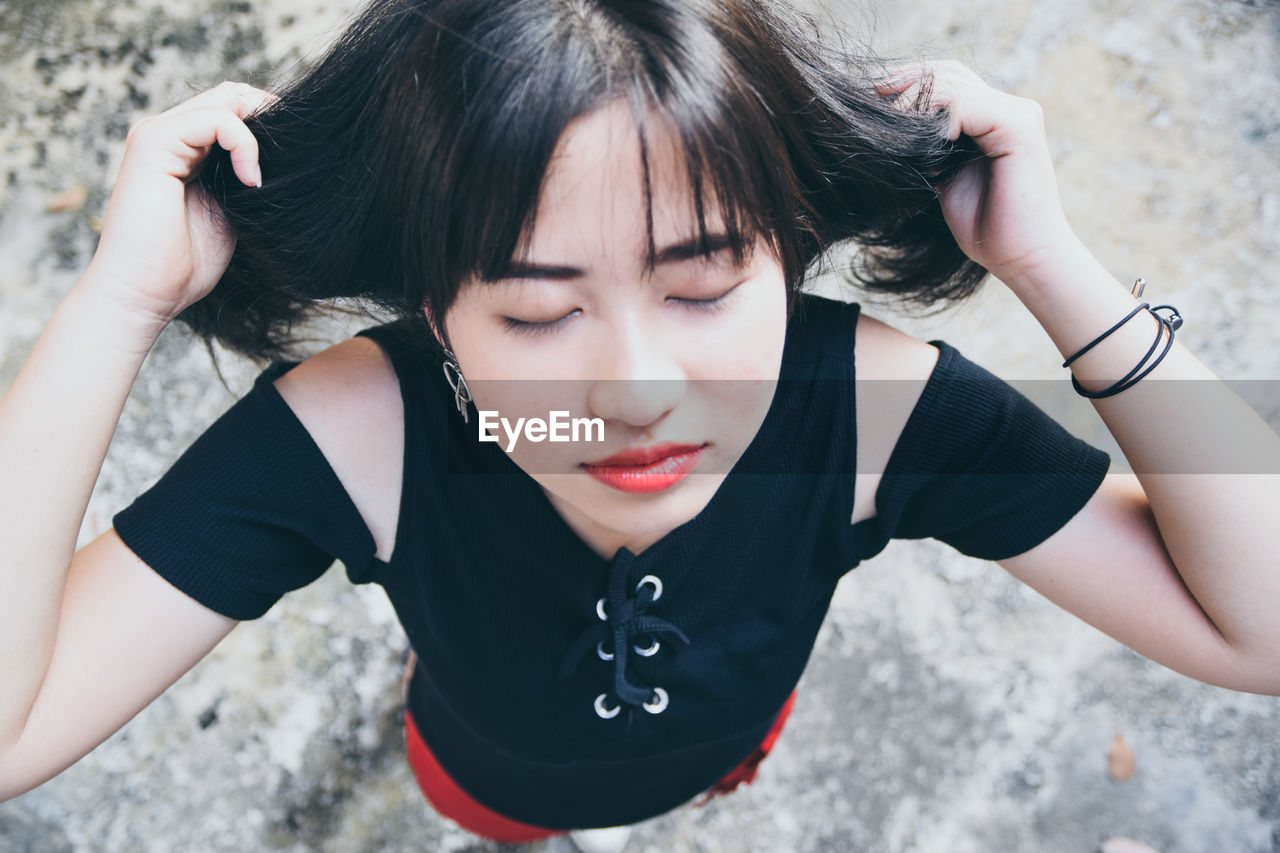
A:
{"x":162,"y":249}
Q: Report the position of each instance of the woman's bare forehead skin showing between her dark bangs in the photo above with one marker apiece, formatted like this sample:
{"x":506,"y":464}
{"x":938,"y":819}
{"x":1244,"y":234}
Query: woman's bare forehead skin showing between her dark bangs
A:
{"x":602,"y":186}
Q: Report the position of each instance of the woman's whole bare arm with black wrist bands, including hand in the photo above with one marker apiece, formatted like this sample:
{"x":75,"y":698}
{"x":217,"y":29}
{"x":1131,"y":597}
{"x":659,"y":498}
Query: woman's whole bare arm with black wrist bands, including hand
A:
{"x":1176,"y":560}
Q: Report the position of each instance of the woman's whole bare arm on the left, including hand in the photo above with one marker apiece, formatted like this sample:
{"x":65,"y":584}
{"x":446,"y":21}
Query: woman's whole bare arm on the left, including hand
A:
{"x":88,"y":640}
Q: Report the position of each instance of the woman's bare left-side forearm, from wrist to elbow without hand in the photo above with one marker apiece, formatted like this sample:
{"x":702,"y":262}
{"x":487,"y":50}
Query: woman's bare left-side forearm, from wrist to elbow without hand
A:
{"x":56,"y":425}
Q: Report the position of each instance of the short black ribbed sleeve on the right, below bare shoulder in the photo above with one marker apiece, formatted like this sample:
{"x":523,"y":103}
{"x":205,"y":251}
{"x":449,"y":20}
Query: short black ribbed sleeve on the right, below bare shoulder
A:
{"x":981,"y":468}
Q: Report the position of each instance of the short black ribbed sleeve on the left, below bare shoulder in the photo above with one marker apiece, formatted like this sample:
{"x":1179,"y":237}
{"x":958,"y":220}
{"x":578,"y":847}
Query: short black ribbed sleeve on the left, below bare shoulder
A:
{"x":250,"y":512}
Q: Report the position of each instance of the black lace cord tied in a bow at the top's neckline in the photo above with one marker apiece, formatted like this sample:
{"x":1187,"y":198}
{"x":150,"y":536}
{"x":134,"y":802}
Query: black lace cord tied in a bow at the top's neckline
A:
{"x":628,"y":621}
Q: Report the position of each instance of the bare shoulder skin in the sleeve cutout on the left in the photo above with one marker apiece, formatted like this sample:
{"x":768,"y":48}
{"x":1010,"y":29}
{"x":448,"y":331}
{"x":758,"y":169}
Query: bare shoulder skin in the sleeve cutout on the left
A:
{"x":349,"y":398}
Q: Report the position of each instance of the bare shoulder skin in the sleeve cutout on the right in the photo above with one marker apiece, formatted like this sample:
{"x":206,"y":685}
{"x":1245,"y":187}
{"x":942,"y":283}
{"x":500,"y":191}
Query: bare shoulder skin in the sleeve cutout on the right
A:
{"x":892,"y":371}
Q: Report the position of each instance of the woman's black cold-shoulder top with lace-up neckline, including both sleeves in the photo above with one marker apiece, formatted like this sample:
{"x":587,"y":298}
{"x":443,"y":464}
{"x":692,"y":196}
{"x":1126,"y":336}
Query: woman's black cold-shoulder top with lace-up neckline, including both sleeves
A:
{"x":500,"y":597}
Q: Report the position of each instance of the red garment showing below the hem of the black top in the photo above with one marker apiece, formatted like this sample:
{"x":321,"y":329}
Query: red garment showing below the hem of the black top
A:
{"x":452,"y":802}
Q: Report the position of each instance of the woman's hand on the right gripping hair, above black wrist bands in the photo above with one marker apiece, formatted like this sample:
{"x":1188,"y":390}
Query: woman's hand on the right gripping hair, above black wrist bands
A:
{"x":1004,"y":209}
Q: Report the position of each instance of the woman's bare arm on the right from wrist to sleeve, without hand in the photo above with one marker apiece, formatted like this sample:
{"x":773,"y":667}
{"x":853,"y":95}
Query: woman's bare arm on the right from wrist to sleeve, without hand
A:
{"x":1176,"y":562}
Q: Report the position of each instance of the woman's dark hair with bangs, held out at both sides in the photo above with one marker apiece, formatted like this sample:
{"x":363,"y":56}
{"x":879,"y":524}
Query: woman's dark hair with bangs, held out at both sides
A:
{"x":412,"y":157}
